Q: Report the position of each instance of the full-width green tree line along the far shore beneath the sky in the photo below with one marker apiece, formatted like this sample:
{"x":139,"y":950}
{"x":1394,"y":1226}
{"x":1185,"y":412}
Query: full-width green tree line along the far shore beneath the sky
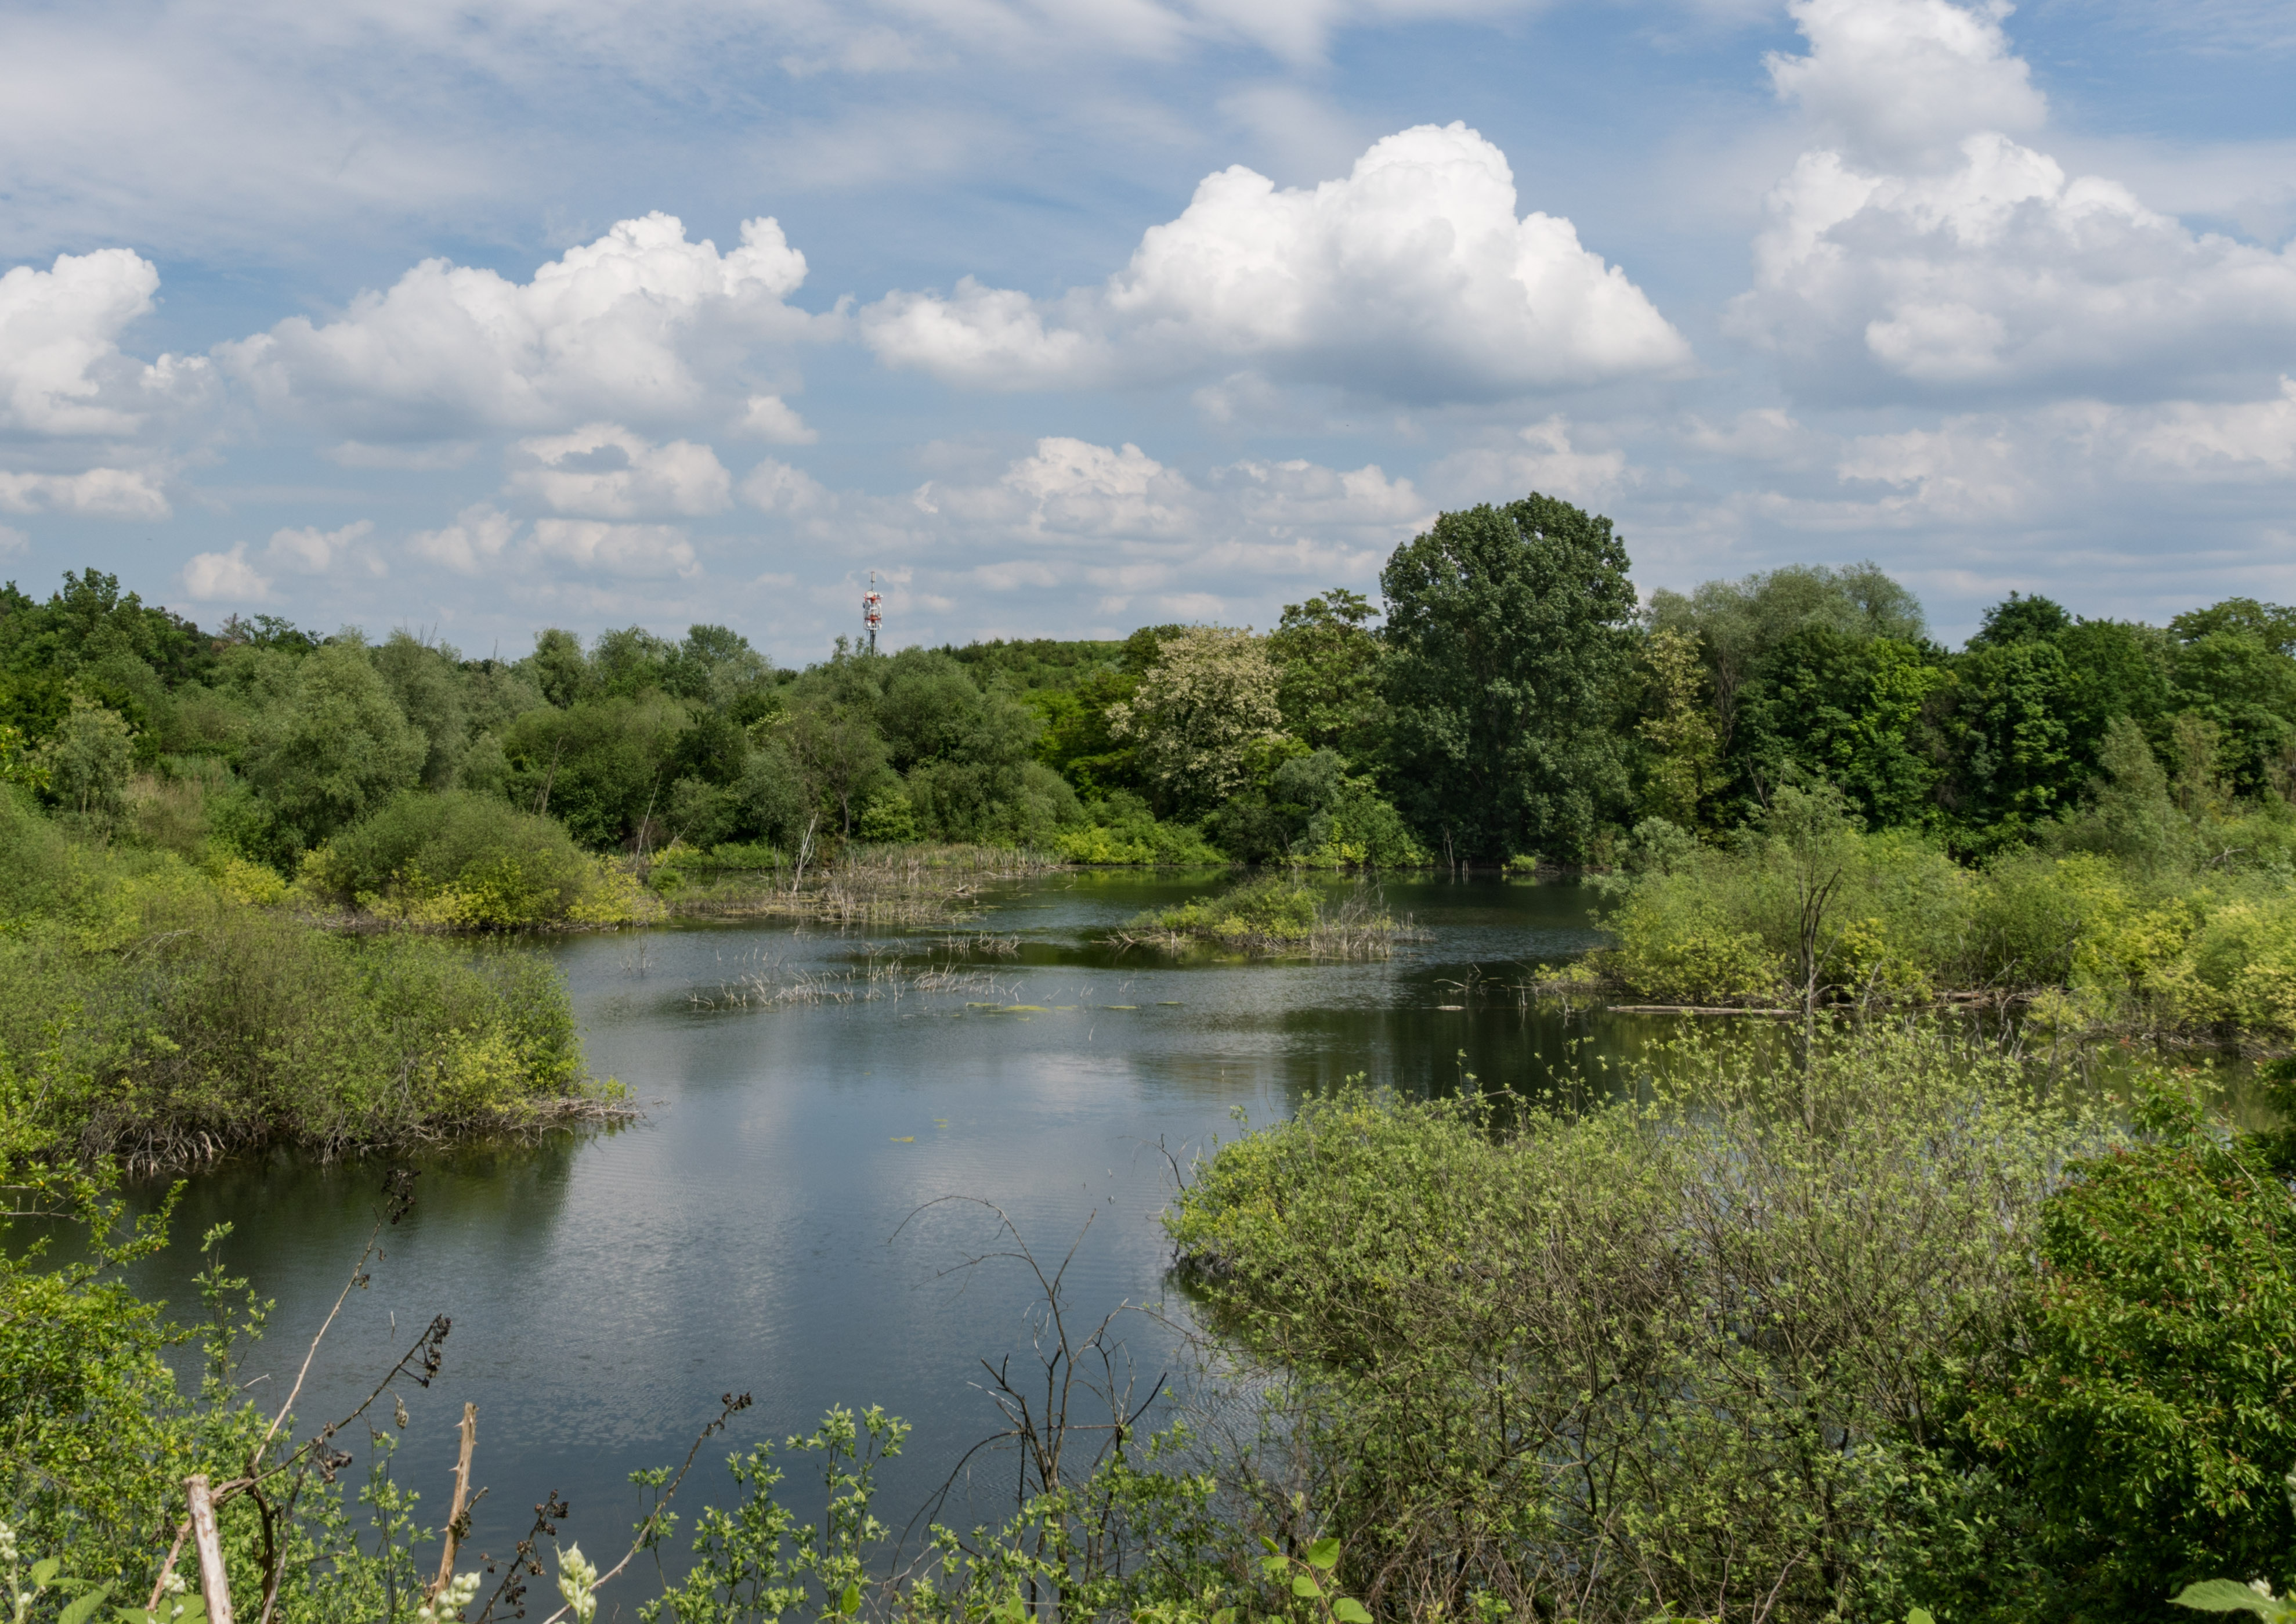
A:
{"x":1510,"y":699}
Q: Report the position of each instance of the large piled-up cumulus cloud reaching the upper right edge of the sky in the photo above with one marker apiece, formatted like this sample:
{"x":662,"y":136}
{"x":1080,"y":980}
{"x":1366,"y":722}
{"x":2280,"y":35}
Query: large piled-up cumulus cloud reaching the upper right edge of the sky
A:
{"x":1987,"y":268}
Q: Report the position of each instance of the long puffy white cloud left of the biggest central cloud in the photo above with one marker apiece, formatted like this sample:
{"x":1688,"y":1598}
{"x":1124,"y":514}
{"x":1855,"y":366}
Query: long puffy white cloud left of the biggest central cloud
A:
{"x":635,"y":325}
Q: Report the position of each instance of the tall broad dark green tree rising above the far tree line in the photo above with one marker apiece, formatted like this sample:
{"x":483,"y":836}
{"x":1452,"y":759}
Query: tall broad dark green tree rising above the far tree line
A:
{"x":1510,"y":660}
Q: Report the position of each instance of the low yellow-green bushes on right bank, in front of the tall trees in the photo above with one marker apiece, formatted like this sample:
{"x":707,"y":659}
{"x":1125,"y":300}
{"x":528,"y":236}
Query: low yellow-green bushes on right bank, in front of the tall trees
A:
{"x":2120,"y":922}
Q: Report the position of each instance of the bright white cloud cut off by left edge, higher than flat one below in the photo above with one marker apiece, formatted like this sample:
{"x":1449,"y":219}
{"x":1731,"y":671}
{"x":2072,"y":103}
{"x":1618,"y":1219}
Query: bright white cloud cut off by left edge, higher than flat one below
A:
{"x":61,"y":362}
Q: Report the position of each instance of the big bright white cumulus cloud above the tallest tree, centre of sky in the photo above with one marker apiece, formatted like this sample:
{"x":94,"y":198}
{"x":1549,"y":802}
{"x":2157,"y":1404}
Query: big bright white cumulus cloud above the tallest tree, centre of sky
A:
{"x":1413,"y":279}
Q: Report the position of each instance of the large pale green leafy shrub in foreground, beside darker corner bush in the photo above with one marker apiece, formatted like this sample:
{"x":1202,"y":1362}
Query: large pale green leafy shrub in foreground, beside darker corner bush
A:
{"x":1657,"y":1359}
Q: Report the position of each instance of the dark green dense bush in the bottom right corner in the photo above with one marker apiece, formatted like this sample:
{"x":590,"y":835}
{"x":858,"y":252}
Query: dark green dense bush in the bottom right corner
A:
{"x":2143,"y":1421}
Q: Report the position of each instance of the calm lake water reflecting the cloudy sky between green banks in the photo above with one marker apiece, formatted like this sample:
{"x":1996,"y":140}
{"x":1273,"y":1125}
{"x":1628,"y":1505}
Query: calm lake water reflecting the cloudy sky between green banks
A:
{"x":605,"y":1292}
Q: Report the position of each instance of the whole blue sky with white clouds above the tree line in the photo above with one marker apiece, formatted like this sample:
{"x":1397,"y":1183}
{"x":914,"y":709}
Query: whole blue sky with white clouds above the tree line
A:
{"x":1073,"y":316}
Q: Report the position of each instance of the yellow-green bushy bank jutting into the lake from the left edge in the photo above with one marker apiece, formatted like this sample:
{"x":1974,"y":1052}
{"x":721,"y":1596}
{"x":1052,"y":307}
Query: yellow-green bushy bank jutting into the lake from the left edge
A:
{"x":169,"y":1014}
